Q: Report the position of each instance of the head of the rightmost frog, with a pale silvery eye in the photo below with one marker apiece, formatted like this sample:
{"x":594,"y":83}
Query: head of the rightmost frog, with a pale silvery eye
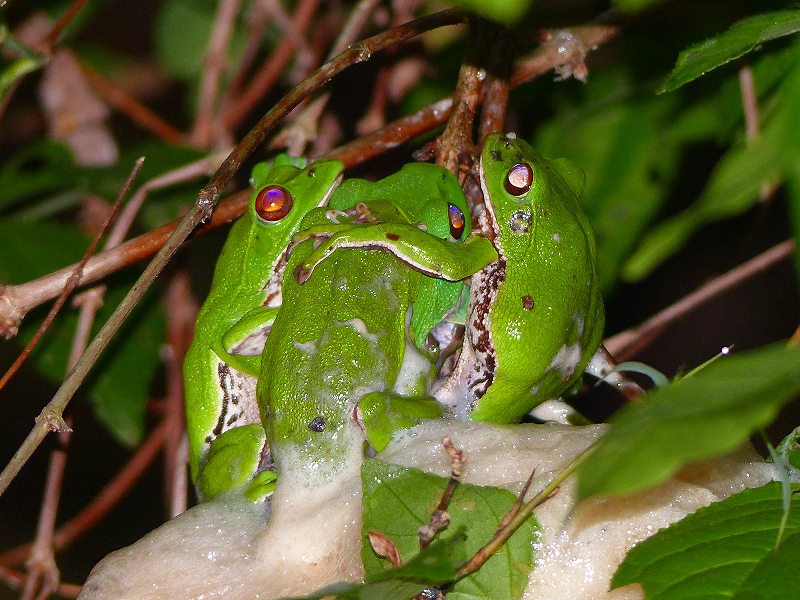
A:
{"x":521,"y":188}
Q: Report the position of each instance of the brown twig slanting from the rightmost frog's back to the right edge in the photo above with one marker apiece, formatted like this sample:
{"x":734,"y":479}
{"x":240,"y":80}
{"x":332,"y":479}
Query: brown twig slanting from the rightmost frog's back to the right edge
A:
{"x":621,"y":344}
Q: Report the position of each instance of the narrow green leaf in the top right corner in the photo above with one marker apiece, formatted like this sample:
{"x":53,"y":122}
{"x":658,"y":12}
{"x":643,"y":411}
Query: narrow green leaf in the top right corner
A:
{"x":740,"y":39}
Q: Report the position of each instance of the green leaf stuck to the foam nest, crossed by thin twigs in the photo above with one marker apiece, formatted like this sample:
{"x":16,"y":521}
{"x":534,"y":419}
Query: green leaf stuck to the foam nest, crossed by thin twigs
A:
{"x":398,"y":500}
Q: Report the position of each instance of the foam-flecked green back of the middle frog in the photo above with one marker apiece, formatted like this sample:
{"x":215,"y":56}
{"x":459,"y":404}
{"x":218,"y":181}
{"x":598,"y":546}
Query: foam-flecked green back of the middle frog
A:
{"x":338,"y":336}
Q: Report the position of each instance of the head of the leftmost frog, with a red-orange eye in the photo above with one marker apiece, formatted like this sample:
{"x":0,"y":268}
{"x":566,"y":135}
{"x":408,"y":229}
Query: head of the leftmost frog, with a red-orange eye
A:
{"x":284,"y":192}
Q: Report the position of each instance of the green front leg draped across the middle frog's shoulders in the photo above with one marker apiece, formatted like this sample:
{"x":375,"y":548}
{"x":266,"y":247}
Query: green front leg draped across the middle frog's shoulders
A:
{"x":416,"y":248}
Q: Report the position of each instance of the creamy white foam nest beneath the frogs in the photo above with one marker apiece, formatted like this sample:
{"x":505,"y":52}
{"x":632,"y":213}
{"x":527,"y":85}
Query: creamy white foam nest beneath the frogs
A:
{"x":312,"y":538}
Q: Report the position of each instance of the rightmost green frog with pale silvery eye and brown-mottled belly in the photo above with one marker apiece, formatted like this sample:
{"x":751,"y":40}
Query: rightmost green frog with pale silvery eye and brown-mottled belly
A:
{"x":535,"y":317}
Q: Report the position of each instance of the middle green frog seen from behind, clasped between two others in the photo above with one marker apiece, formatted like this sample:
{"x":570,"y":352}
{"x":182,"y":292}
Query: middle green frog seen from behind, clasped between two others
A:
{"x":341,"y":341}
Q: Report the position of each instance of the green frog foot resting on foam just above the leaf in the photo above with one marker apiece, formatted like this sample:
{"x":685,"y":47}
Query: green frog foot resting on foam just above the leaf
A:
{"x":381,"y":415}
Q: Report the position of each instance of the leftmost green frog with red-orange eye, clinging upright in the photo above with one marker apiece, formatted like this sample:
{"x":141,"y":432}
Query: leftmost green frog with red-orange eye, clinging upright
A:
{"x":226,"y":439}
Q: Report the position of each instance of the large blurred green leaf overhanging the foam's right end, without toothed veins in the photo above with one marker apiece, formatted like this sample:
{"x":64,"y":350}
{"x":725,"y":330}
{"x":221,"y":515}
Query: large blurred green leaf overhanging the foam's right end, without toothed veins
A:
{"x":706,"y":415}
